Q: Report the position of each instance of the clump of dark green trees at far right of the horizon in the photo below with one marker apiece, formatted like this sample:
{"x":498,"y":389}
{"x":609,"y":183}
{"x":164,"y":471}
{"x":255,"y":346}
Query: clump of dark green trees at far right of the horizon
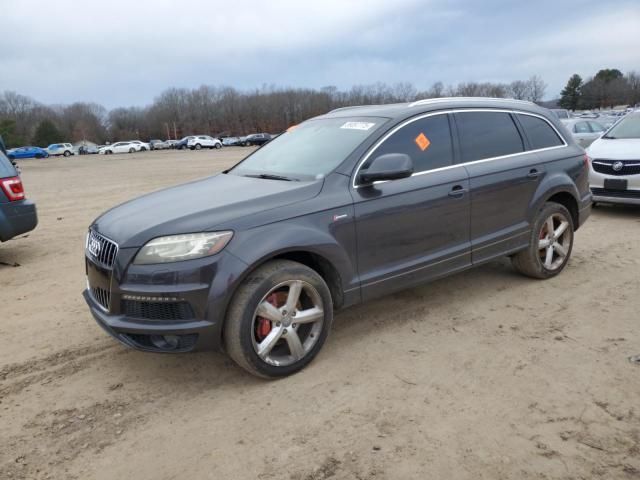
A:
{"x":607,"y":88}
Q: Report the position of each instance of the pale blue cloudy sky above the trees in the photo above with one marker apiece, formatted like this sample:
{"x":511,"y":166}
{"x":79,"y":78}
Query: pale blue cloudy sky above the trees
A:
{"x":123,"y":53}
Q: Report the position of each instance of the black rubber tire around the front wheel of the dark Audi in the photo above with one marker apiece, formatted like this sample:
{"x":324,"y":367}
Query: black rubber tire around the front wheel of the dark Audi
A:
{"x":239,"y":329}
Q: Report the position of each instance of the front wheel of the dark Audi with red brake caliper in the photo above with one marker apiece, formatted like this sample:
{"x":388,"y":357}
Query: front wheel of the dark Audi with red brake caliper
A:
{"x":278,"y":319}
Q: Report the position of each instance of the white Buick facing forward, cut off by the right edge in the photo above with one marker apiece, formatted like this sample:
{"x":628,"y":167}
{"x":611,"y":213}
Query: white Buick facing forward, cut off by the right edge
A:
{"x":614,"y":173}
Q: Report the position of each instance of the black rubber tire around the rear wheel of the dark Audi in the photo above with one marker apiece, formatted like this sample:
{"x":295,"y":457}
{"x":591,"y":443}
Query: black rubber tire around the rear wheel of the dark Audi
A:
{"x":529,"y":262}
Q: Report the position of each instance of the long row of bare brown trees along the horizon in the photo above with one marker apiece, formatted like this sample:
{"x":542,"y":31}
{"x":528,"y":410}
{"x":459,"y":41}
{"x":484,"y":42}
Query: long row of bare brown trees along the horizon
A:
{"x":222,"y":110}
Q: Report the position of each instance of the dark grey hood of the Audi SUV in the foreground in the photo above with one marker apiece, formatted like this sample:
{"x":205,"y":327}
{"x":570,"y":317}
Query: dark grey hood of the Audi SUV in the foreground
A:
{"x":198,"y":206}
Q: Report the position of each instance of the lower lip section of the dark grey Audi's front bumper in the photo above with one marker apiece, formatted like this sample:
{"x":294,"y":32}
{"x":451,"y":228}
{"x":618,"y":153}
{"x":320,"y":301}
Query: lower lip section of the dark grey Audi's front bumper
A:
{"x":147,"y":335}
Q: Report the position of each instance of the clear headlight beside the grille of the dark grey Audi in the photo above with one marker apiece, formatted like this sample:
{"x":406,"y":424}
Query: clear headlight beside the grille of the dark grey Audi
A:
{"x":176,"y":248}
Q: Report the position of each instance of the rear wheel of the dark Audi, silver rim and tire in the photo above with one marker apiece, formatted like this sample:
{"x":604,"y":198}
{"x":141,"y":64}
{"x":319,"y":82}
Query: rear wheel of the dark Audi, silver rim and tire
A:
{"x":550,"y":246}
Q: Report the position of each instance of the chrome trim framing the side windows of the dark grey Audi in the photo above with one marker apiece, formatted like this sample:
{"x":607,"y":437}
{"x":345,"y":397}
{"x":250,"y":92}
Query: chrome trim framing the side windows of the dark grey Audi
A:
{"x":473,"y":162}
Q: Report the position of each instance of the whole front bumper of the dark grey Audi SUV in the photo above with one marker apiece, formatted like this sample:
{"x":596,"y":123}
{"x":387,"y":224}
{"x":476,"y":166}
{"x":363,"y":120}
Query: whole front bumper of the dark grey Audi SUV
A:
{"x":138,"y":304}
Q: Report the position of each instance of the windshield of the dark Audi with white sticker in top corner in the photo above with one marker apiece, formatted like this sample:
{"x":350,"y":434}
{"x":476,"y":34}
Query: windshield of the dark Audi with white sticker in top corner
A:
{"x":310,"y":150}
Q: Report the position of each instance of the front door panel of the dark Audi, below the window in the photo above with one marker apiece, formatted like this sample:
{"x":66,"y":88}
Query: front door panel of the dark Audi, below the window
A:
{"x":412,"y":230}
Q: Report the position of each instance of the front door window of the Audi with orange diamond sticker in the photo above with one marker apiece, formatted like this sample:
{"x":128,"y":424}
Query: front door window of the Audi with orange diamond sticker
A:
{"x":427,"y":141}
